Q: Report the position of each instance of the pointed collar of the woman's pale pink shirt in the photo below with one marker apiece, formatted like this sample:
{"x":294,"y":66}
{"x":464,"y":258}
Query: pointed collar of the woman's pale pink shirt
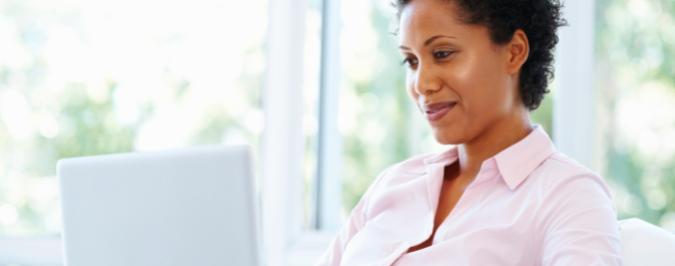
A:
{"x":514,"y":163}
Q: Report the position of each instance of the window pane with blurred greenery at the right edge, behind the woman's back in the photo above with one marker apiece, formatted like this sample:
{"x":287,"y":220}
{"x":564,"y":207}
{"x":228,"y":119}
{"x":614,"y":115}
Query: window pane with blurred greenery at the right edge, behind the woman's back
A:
{"x":635,"y":73}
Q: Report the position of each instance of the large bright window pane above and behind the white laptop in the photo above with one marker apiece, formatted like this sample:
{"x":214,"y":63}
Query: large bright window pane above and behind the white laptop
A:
{"x":85,"y":77}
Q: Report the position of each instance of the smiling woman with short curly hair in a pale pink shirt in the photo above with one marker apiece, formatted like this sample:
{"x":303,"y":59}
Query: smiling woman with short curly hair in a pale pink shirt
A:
{"x":503,"y":195}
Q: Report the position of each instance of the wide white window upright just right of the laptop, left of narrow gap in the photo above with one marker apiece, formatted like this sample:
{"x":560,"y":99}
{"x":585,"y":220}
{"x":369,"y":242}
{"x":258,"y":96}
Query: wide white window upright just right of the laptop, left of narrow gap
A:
{"x":282,"y":143}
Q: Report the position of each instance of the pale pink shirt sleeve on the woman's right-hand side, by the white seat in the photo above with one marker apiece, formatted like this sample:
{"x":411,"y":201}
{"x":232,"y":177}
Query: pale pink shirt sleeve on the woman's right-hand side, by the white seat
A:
{"x":580,"y":226}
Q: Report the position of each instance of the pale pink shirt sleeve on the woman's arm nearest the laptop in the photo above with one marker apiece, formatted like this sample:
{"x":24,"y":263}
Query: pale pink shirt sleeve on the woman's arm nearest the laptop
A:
{"x":357,"y":218}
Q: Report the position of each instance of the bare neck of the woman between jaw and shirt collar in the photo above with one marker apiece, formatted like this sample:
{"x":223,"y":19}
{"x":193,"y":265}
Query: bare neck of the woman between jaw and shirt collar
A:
{"x":491,"y":141}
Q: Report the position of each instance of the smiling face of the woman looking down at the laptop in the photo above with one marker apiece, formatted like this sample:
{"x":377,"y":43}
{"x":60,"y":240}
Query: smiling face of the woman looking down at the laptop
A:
{"x":460,"y":80}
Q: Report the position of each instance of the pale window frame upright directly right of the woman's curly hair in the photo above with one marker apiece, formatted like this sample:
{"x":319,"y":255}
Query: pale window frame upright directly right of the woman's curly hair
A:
{"x":574,"y":115}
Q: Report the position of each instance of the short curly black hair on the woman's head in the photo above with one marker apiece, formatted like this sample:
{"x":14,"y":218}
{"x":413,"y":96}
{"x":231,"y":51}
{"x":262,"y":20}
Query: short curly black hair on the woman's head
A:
{"x":539,"y":19}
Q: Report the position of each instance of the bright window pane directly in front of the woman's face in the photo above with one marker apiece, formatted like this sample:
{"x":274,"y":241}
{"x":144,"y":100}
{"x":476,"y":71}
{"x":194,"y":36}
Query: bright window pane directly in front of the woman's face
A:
{"x":375,"y":113}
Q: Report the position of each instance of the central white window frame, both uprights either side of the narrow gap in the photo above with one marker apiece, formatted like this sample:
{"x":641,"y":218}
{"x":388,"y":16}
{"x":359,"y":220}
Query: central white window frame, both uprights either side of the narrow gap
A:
{"x":286,"y":242}
